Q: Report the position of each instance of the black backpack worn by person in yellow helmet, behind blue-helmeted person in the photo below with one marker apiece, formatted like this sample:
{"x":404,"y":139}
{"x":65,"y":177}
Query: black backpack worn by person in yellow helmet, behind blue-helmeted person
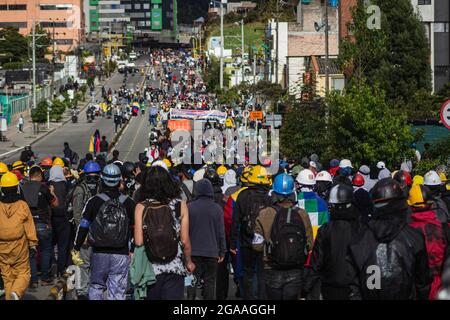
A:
{"x":256,"y":201}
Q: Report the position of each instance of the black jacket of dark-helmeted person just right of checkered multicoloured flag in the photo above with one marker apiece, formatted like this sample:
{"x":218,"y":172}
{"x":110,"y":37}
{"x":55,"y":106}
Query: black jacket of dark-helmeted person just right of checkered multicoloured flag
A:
{"x":328,"y":259}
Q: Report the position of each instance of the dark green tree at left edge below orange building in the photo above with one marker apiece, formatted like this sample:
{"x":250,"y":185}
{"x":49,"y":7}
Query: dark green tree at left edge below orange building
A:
{"x":15,"y":46}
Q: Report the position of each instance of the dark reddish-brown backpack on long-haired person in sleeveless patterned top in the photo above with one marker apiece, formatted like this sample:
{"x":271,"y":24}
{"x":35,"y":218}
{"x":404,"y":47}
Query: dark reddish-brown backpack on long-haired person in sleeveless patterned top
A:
{"x":160,"y":235}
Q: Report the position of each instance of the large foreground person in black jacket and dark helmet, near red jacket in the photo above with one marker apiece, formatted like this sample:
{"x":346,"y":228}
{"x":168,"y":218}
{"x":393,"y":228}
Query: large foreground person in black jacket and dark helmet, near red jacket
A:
{"x":388,"y":259}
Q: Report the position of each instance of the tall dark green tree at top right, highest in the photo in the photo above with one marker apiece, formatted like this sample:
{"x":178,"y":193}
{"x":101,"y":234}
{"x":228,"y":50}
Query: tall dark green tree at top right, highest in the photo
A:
{"x":397,"y":57}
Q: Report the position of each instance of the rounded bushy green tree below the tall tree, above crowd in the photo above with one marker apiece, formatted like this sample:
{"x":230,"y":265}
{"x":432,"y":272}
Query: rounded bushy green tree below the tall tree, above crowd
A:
{"x":365,"y":128}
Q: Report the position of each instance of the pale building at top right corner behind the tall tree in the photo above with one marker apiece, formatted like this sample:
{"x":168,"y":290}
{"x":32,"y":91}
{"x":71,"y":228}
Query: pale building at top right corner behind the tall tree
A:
{"x":435,"y":15}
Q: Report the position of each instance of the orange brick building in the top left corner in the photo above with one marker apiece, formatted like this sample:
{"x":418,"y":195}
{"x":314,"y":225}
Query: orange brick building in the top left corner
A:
{"x":63,"y":19}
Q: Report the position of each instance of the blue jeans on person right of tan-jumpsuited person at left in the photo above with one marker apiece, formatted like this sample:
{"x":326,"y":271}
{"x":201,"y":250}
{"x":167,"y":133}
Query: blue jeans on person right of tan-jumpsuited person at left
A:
{"x":44,"y":235}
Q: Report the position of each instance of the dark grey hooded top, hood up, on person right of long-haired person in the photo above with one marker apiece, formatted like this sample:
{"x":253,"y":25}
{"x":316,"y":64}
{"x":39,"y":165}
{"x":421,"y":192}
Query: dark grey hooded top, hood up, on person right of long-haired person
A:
{"x":206,"y":225}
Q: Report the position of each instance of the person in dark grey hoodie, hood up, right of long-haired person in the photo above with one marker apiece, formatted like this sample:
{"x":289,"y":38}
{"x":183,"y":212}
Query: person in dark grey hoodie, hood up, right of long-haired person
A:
{"x":207,"y":233}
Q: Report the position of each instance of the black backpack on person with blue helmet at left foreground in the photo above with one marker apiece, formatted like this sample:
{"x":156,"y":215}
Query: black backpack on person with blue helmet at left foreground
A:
{"x":111,"y":226}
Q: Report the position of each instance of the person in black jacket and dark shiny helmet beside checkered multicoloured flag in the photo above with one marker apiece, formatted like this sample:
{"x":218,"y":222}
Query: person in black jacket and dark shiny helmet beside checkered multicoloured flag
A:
{"x":328,"y":268}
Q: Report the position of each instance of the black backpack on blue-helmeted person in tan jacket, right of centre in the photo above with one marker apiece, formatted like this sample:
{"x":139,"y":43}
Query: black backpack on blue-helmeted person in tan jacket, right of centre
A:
{"x":287,"y":245}
